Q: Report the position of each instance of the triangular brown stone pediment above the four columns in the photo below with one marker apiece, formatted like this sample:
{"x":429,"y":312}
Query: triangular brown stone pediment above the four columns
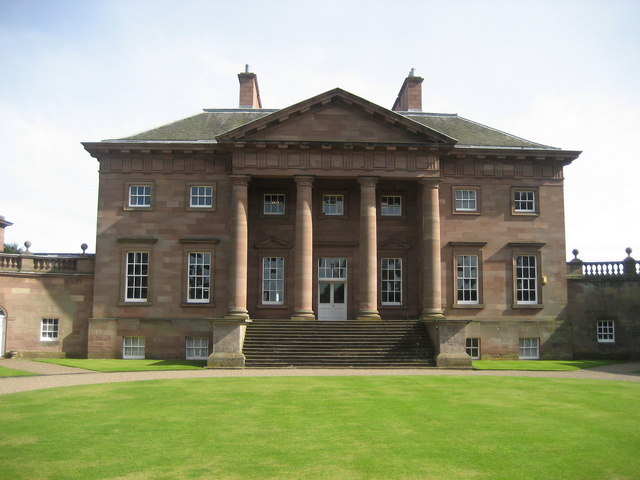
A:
{"x":334,"y":117}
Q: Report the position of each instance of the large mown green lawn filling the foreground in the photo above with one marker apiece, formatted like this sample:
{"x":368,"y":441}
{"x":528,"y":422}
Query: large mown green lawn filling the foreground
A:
{"x":405,"y":427}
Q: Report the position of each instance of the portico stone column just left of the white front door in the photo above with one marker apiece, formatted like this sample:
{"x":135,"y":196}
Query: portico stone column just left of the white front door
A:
{"x":303,"y":299}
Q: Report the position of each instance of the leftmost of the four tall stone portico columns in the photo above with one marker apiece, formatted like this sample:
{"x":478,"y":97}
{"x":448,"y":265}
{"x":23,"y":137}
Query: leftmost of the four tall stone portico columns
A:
{"x":239,"y":248}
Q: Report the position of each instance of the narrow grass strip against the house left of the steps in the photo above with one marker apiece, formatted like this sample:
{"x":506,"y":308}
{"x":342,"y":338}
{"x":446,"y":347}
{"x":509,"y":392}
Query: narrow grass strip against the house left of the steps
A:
{"x":117,"y":365}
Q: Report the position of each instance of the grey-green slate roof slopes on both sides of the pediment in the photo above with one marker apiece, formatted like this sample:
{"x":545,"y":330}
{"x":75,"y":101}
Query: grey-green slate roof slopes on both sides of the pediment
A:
{"x":212,"y":122}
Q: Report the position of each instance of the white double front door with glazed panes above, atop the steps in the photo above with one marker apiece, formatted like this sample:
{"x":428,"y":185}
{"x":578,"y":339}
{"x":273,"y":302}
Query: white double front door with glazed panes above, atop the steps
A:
{"x":332,"y":288}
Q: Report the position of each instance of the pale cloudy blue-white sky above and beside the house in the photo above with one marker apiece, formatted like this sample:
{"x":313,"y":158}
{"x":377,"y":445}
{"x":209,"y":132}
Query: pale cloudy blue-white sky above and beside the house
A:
{"x":562,"y":73}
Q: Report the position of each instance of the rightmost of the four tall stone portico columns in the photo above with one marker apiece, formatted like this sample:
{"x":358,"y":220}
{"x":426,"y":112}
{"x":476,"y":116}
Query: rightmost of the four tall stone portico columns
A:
{"x":431,"y":271}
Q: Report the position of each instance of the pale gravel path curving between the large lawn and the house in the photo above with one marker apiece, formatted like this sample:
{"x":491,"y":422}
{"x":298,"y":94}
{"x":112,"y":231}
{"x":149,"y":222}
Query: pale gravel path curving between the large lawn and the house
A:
{"x":53,"y":376}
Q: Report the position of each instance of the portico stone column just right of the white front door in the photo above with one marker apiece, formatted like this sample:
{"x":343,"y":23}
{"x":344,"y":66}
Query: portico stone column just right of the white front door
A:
{"x":368,"y":250}
